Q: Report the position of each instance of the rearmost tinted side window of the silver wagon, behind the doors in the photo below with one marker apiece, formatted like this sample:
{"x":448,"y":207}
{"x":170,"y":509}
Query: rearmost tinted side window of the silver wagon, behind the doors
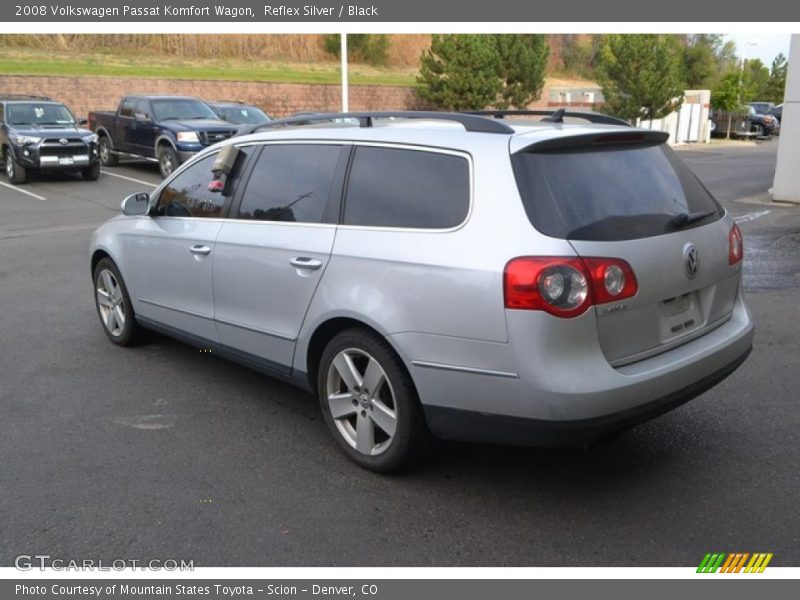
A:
{"x":393,"y":187}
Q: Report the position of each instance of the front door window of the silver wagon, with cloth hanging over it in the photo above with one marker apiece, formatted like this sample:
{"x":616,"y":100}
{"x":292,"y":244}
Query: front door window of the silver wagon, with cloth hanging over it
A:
{"x":188,"y":194}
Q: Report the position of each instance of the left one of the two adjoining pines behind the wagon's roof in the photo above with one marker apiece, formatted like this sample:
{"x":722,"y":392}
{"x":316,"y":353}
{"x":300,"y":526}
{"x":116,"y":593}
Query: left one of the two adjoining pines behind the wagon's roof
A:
{"x":460,"y":72}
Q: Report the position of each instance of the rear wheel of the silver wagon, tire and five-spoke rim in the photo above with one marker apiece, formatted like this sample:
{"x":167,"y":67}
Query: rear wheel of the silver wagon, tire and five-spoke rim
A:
{"x":383,"y":428}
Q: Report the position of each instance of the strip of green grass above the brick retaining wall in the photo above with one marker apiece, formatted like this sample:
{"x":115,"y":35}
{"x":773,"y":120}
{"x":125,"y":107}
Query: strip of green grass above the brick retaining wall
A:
{"x":33,"y":62}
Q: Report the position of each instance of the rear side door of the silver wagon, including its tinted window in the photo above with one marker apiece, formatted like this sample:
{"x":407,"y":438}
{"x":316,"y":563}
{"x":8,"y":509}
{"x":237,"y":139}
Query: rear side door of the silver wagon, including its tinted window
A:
{"x":271,"y":254}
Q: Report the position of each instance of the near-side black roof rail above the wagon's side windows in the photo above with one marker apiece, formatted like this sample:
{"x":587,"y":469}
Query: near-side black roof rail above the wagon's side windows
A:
{"x":471,"y":122}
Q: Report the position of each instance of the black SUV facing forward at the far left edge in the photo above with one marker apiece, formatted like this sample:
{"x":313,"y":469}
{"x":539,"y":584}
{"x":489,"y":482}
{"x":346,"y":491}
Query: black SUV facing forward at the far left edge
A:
{"x":38,"y":134}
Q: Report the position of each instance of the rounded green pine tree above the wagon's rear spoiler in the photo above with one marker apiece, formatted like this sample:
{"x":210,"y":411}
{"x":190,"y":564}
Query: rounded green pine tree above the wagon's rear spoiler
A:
{"x":642,"y":75}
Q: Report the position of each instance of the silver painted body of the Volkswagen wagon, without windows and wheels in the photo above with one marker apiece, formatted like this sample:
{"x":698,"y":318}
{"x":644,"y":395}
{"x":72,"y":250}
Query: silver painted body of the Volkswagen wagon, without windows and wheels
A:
{"x":482,"y":371}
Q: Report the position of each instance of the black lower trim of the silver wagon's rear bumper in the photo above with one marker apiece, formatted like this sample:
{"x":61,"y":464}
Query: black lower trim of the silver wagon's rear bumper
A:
{"x":466,"y":425}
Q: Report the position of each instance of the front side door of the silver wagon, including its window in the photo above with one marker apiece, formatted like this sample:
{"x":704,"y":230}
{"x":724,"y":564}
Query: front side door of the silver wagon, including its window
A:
{"x":172,"y":252}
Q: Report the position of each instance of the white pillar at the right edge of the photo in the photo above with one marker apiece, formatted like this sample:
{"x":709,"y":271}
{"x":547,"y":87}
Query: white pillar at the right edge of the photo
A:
{"x":787,"y":171}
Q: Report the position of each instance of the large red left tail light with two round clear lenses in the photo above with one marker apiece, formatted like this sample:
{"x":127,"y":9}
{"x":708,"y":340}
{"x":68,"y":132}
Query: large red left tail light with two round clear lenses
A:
{"x":566,"y":286}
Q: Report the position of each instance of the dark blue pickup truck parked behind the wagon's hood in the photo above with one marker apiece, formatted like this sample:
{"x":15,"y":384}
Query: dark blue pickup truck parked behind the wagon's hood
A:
{"x":169,"y":129}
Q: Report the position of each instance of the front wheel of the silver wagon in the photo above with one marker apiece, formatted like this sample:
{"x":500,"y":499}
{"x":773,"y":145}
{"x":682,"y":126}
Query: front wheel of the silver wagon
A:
{"x":114,"y":305}
